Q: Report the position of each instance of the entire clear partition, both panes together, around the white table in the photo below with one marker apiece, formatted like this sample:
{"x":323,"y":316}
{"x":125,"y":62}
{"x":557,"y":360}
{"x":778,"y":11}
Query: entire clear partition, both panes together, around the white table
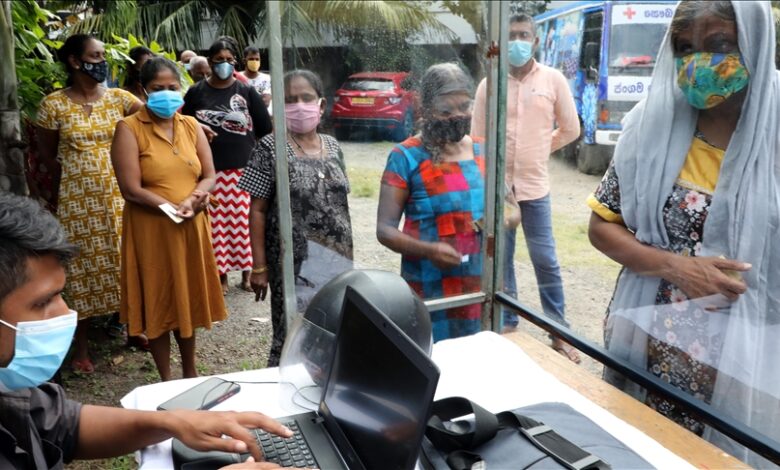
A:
{"x":401,"y":195}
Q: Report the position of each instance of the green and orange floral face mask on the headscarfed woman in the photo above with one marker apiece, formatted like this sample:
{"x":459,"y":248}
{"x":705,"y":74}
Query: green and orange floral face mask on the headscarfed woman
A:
{"x":707,"y":79}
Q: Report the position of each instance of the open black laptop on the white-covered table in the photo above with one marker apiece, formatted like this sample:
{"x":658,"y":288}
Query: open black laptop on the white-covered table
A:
{"x":374,"y":406}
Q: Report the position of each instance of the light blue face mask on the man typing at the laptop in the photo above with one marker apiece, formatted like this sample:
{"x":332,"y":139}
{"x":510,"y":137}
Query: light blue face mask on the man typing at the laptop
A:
{"x":39,"y":349}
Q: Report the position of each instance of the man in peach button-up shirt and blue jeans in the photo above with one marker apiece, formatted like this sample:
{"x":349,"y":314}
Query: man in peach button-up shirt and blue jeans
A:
{"x":538,"y":97}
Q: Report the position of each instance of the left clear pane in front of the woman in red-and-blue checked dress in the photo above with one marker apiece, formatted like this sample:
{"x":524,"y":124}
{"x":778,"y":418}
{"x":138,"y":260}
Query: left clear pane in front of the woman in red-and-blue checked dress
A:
{"x":382,"y":172}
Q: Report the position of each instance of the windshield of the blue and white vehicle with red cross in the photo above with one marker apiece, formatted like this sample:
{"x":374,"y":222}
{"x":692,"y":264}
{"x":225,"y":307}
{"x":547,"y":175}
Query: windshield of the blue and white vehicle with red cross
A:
{"x":633,"y":48}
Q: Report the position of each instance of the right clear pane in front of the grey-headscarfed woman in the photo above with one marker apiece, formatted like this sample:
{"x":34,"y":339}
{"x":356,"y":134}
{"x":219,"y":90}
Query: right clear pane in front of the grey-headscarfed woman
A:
{"x":648,"y":232}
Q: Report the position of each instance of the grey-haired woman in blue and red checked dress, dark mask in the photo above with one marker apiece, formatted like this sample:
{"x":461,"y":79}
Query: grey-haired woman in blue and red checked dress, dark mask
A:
{"x":436,"y":181}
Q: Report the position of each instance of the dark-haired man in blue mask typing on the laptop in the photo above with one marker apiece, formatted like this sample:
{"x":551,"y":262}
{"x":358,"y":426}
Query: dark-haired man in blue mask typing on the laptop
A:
{"x":39,"y":427}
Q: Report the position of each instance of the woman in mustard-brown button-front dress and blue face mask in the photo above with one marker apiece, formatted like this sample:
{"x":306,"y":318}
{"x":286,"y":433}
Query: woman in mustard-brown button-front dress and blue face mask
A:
{"x":162,"y":161}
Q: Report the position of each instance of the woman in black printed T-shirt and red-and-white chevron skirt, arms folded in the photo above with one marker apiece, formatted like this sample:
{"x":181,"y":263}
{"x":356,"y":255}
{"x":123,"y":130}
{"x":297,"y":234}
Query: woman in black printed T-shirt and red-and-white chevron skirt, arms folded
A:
{"x":237,"y":114}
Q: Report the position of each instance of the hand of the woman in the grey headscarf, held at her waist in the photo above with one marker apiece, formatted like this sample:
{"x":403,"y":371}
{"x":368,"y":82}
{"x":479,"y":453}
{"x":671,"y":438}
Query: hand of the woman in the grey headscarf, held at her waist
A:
{"x":700,"y":277}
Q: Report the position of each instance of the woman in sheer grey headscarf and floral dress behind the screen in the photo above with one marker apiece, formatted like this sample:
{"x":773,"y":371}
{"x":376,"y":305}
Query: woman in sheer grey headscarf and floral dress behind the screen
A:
{"x":689,"y":207}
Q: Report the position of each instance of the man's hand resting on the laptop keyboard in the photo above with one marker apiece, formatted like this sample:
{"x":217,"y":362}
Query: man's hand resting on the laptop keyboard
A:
{"x":203,"y":430}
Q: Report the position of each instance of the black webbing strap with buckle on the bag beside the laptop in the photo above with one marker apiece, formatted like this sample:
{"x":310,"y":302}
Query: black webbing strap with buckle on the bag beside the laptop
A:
{"x":457,"y":438}
